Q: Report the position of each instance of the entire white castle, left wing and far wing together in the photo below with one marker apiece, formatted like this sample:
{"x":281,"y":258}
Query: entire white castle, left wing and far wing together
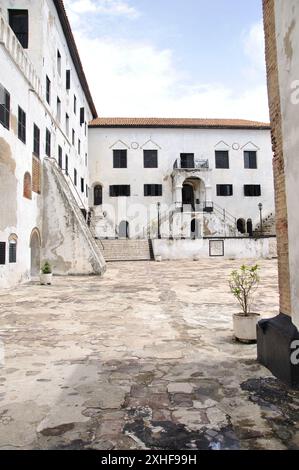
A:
{"x":124,"y":188}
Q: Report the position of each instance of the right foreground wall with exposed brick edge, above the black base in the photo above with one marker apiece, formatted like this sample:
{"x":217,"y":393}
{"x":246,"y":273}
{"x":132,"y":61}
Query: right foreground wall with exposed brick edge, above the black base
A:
{"x":282,"y":52}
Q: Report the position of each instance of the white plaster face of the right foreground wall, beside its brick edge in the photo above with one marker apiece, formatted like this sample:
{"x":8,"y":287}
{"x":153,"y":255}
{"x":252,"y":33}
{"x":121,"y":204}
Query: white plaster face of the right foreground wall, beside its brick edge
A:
{"x":287,"y":34}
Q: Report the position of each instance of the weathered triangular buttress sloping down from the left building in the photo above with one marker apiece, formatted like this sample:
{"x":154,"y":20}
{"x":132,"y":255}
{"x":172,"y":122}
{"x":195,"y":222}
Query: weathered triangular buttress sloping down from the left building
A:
{"x":67,"y":242}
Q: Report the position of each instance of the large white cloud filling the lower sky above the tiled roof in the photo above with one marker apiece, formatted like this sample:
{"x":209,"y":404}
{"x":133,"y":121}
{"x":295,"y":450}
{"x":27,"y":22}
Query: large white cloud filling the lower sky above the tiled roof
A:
{"x":133,"y":79}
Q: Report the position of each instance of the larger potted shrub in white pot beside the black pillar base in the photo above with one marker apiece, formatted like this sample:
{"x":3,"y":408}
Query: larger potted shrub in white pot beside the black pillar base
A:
{"x":243,"y":284}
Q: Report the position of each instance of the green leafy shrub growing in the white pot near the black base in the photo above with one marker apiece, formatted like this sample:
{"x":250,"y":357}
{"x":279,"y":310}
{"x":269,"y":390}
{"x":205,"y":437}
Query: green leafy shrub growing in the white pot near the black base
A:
{"x":243,"y":284}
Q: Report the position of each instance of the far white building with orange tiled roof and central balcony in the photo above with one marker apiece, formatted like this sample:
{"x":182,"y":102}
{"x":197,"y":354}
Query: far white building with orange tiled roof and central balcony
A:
{"x":180,"y":179}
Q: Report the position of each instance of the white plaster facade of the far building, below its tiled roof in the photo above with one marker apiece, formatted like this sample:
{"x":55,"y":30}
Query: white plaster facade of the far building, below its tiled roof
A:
{"x":170,"y":143}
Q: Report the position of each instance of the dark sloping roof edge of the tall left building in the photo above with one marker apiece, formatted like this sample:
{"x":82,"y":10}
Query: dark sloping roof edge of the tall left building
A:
{"x":74,"y":53}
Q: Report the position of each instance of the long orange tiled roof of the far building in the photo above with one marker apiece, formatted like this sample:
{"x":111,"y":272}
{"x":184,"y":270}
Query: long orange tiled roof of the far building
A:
{"x":183,"y":123}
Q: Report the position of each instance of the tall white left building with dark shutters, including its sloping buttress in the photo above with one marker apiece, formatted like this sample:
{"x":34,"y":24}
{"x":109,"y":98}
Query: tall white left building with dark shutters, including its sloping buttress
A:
{"x":45,"y":107}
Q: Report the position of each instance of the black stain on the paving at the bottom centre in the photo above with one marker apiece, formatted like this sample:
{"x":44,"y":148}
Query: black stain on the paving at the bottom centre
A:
{"x":175,"y":436}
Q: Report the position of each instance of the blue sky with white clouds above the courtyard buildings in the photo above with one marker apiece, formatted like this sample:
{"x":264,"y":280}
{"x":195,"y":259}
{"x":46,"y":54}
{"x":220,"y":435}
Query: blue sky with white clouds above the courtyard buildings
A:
{"x":173,"y":58}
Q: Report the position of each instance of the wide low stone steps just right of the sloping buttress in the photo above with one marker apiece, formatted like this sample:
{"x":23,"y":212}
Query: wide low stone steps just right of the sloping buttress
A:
{"x":126,"y":250}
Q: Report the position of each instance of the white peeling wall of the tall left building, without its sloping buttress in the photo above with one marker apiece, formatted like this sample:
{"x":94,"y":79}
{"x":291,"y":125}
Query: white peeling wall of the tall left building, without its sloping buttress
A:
{"x":19,"y":215}
